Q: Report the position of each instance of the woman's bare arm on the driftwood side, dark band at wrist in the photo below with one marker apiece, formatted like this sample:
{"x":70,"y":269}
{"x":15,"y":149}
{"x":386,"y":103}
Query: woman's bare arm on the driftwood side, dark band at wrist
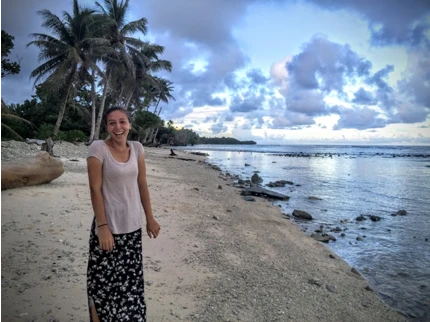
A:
{"x":95,"y":177}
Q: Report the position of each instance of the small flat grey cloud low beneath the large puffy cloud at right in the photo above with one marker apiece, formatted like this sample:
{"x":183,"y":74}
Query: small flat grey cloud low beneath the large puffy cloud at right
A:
{"x":360,"y":118}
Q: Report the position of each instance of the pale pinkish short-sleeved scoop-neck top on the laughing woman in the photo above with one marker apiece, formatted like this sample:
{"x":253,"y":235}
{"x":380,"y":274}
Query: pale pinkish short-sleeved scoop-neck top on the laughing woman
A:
{"x":120,"y":189}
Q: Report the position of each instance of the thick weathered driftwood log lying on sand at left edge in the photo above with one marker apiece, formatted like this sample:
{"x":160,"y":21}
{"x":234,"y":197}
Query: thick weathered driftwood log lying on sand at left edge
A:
{"x":30,"y":171}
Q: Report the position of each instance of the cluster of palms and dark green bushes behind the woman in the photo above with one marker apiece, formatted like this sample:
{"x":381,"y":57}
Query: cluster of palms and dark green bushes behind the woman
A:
{"x":92,"y":59}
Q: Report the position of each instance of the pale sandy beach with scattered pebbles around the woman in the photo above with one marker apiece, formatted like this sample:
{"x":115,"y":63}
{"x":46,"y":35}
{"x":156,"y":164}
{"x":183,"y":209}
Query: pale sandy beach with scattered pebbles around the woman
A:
{"x":218,"y":257}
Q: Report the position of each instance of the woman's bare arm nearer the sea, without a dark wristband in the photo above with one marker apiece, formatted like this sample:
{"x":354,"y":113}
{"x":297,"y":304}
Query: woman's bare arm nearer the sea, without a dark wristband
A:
{"x":152,"y":226}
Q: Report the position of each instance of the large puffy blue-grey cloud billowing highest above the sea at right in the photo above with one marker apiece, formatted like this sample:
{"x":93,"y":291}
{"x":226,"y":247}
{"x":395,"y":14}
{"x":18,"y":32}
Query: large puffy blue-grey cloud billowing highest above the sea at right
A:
{"x":326,"y":65}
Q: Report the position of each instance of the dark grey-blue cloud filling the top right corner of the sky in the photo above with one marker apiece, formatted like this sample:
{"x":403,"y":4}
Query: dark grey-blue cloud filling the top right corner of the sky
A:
{"x":390,"y":22}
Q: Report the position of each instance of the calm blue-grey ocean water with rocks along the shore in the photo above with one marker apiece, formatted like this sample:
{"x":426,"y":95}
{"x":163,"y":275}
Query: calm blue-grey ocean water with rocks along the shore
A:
{"x":394,"y":253}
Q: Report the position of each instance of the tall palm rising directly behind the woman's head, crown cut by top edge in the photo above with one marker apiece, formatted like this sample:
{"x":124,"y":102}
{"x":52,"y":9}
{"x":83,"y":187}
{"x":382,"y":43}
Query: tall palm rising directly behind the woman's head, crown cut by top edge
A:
{"x":118,"y":31}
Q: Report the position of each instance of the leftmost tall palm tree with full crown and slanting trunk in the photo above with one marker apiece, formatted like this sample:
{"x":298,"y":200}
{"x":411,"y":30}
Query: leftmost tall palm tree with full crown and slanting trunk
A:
{"x":64,"y":54}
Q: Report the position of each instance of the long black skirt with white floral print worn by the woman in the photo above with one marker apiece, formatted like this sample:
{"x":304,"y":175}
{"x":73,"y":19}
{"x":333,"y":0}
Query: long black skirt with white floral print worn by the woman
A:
{"x":115,"y":283}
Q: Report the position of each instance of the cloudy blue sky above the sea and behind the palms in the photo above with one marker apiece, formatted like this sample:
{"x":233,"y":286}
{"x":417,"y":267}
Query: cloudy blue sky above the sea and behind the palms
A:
{"x":275,"y":71}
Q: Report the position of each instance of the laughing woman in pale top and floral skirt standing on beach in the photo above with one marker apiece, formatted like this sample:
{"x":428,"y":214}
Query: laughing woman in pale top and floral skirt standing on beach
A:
{"x":117,"y":179}
